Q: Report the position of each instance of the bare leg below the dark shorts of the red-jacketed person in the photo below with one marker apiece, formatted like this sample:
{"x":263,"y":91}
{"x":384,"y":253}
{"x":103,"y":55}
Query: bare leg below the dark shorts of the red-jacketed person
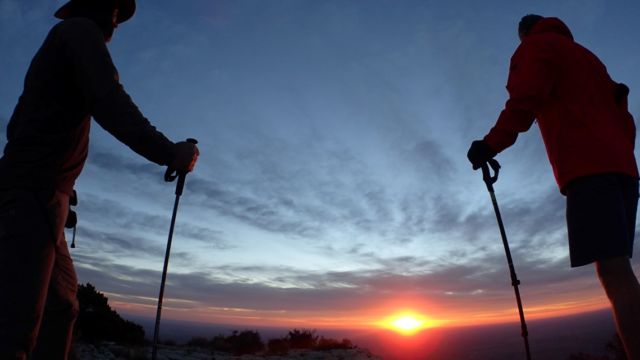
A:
{"x":622,"y":289}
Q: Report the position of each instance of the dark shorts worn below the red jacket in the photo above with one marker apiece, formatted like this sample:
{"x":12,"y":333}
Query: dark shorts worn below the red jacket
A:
{"x":601,"y":217}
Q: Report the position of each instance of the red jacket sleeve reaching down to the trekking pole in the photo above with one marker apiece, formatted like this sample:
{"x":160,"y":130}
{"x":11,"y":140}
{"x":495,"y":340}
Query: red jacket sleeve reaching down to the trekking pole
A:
{"x":530,"y":83}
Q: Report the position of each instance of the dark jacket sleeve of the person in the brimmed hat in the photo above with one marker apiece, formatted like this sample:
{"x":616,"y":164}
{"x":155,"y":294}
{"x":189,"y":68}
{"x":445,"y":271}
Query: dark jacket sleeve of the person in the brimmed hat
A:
{"x":109,"y":104}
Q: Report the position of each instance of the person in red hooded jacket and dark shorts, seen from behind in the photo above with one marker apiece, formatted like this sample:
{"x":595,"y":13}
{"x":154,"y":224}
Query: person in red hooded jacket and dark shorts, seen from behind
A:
{"x":589,"y":135}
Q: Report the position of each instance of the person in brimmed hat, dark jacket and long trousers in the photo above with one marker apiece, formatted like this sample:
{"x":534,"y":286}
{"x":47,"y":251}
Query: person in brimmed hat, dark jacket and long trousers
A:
{"x":70,"y":80}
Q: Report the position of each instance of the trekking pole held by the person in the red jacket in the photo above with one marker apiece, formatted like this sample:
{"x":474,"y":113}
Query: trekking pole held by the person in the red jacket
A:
{"x":489,"y":181}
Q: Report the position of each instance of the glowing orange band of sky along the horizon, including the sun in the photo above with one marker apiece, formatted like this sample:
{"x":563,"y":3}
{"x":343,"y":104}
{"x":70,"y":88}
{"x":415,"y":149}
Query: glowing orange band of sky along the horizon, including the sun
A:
{"x":406,"y":317}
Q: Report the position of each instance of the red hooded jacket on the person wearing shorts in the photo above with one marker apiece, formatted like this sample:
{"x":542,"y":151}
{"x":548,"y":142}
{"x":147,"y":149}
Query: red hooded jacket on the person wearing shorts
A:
{"x":584,"y":120}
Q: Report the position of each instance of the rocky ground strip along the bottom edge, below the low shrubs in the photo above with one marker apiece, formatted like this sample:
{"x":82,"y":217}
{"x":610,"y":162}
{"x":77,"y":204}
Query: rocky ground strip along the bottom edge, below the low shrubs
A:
{"x":110,"y":351}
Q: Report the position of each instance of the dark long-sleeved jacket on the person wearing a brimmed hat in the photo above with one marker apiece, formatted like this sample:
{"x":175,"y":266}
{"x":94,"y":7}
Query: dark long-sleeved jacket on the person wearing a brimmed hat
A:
{"x":71,"y":79}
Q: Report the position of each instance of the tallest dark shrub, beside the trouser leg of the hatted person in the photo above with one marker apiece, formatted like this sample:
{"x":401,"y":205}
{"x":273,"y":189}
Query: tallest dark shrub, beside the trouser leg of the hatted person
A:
{"x":98,"y":322}
